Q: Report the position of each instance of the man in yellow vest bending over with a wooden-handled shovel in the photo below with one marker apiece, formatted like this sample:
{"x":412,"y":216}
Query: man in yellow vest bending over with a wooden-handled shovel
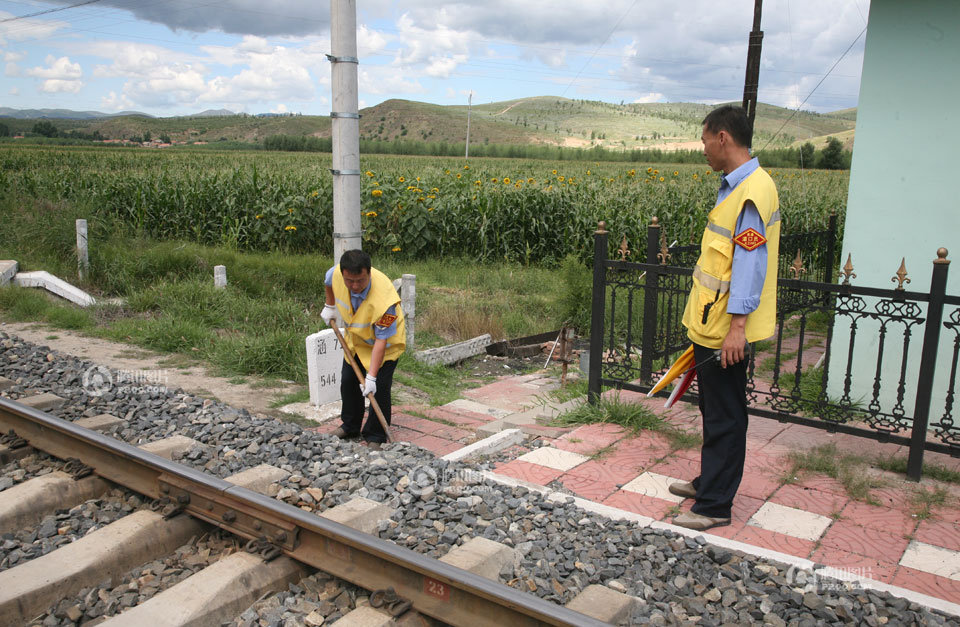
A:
{"x":365,"y":300}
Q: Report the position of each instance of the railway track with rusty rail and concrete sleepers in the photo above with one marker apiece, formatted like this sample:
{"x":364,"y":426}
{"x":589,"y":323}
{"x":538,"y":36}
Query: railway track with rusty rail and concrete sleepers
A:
{"x":284,"y":543}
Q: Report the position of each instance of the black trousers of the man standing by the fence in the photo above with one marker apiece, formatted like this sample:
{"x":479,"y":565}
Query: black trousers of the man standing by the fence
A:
{"x":723,"y":405}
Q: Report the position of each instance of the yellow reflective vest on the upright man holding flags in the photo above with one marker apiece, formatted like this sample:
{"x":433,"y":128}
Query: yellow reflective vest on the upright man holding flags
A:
{"x":706,"y":316}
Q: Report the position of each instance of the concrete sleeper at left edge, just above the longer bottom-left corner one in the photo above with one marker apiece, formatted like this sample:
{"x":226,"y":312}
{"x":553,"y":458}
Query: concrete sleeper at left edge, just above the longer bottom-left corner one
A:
{"x":25,"y":504}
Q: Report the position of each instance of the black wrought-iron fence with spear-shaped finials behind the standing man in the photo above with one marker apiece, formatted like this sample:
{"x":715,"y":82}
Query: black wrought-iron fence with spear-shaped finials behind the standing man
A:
{"x":844,"y":358}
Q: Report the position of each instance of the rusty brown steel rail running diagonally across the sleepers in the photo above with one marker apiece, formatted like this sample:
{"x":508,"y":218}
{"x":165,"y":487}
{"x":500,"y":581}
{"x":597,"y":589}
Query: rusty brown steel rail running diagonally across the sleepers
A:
{"x":440,"y":590}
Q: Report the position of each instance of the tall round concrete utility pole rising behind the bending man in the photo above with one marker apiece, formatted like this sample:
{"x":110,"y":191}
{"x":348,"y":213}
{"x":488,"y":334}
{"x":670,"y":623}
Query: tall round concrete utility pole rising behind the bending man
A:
{"x":345,"y":127}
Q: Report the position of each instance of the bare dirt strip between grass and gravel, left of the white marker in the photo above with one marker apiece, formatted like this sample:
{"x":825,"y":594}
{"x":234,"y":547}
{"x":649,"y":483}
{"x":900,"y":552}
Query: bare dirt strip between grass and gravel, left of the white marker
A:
{"x":176,"y":371}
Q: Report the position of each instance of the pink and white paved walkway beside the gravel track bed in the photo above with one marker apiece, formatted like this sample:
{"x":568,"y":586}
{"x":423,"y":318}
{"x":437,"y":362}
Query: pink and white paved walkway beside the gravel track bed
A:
{"x":811,"y":517}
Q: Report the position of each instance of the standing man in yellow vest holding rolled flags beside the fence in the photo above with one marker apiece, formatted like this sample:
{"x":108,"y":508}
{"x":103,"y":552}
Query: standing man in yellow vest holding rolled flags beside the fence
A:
{"x":733,"y":302}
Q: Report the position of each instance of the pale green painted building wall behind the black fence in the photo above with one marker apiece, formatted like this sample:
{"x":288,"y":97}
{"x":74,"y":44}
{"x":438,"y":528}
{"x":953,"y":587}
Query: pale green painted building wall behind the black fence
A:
{"x":903,"y":199}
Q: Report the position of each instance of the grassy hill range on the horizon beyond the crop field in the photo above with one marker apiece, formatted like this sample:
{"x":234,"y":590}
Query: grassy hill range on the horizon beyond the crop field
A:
{"x":544,"y":120}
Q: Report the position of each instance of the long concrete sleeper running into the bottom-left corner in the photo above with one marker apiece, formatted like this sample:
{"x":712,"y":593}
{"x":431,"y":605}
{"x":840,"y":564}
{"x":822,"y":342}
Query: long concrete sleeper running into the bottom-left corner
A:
{"x":28,"y":589}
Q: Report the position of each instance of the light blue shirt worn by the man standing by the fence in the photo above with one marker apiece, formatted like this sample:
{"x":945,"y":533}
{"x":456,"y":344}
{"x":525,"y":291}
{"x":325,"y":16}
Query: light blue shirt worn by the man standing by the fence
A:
{"x":749,"y":266}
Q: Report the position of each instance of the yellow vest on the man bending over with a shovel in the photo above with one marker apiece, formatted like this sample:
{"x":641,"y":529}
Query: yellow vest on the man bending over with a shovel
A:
{"x":359,"y":324}
